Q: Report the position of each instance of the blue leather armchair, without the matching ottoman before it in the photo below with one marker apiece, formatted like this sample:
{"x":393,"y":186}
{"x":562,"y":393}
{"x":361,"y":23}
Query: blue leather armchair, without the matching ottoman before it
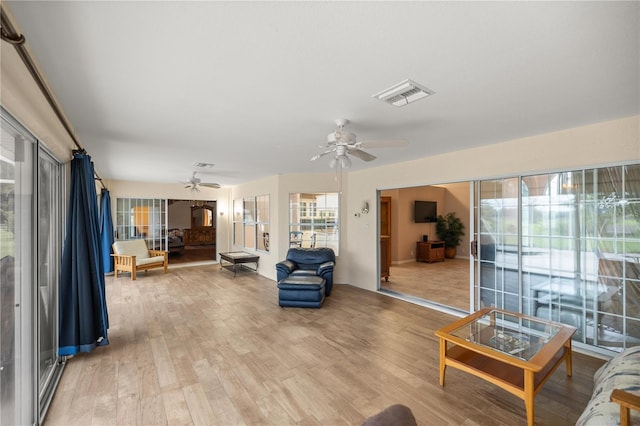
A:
{"x":309,"y":261}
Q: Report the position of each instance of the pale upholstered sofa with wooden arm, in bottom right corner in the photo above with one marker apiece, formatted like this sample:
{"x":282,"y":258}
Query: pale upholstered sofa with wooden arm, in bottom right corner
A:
{"x":616,"y":387}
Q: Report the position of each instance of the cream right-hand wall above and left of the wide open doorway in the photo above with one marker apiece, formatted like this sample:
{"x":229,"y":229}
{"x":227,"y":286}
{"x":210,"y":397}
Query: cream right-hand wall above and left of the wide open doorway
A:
{"x":613,"y":142}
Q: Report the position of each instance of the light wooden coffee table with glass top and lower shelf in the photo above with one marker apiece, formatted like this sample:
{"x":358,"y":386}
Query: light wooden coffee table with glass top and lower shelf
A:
{"x":513,"y":351}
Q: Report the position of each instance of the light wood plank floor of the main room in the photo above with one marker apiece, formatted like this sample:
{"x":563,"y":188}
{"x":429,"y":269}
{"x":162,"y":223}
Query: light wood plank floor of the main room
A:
{"x":197,"y":346}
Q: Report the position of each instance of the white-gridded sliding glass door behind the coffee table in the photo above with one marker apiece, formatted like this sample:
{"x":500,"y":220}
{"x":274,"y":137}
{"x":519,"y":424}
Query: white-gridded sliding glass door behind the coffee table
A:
{"x":565,"y":247}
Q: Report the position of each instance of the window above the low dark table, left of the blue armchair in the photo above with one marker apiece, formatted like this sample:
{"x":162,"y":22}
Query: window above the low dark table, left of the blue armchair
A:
{"x":251,"y":222}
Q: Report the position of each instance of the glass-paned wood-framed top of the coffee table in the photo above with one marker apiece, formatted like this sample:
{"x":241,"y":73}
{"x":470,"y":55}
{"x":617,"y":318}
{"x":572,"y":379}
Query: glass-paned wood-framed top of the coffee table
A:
{"x":510,"y":334}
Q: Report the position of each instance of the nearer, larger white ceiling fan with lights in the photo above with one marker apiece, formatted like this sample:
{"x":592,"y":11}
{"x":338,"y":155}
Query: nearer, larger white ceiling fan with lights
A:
{"x":342,"y":144}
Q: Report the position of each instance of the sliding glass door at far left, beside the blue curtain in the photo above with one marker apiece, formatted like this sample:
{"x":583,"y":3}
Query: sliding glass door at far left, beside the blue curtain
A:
{"x":30,"y":252}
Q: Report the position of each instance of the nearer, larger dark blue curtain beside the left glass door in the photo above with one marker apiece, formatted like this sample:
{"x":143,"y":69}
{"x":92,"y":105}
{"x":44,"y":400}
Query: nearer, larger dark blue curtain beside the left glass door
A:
{"x":83,"y":306}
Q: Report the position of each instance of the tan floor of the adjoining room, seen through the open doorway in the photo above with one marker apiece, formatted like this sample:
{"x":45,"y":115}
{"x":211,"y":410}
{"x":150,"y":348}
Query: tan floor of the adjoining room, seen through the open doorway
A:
{"x":445,"y":282}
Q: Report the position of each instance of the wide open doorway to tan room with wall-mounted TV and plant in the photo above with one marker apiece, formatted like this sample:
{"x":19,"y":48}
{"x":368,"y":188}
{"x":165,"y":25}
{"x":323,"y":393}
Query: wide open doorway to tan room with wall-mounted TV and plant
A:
{"x":446,"y":283}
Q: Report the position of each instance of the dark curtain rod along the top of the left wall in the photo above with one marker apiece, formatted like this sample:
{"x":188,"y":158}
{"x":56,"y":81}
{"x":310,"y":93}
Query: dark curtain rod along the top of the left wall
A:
{"x":9,"y":34}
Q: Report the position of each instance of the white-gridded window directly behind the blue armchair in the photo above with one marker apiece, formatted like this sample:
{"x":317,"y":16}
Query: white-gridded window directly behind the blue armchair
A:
{"x":317,"y":225}
